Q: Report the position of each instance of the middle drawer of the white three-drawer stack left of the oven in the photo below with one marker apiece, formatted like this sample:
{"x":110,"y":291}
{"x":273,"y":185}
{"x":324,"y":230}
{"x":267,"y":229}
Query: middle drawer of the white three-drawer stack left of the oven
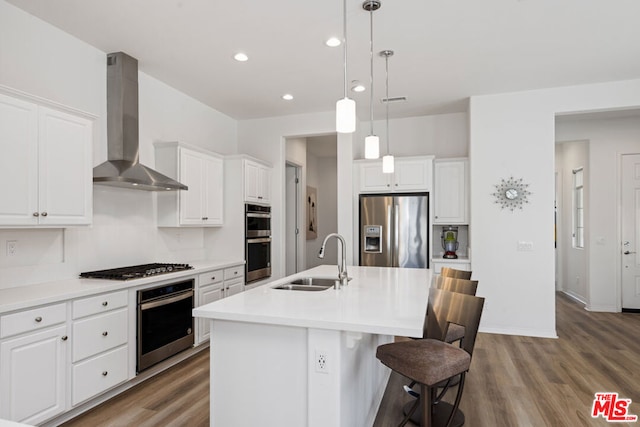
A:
{"x":97,"y":334}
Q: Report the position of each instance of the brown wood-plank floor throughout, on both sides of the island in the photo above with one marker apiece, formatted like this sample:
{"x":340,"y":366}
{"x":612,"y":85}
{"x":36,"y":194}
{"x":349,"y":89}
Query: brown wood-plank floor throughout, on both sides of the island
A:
{"x":513,"y":380}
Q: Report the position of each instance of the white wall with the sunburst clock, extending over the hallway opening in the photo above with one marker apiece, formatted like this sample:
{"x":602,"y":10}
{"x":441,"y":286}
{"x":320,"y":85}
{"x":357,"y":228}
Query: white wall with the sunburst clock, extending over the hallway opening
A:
{"x":513,"y":135}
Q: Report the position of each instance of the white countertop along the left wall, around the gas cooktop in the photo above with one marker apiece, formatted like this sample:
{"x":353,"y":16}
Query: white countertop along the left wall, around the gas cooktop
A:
{"x":21,"y":297}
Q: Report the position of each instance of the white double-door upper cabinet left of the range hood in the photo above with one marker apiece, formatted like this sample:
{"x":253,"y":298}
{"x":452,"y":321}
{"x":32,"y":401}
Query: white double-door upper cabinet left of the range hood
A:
{"x":46,"y":162}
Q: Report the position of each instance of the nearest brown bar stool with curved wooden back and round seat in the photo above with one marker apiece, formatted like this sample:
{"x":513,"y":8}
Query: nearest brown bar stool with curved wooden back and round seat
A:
{"x":431,"y":361}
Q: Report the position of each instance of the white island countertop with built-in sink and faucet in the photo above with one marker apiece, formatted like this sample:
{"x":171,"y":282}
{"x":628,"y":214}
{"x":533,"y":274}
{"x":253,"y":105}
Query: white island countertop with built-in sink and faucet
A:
{"x":378,"y":300}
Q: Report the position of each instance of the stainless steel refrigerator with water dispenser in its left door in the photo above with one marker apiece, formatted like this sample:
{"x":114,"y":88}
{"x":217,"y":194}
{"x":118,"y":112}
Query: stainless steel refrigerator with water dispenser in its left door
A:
{"x":394,"y":230}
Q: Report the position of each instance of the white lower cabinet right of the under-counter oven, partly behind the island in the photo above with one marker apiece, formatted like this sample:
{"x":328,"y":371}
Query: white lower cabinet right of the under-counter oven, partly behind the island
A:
{"x":213,"y":286}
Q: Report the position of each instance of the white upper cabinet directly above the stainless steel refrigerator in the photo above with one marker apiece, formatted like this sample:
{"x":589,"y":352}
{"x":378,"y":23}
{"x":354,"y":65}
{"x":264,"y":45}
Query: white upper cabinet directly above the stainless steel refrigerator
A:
{"x":411,"y":174}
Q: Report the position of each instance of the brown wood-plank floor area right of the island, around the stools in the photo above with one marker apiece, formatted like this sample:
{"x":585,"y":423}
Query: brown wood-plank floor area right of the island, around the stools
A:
{"x":523,"y":381}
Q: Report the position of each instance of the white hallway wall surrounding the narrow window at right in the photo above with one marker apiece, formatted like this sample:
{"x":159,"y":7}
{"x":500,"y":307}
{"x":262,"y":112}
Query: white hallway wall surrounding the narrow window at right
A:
{"x":573,"y":261}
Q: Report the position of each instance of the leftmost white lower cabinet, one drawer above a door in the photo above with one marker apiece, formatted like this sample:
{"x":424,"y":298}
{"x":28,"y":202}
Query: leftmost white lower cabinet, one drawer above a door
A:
{"x":33,"y":360}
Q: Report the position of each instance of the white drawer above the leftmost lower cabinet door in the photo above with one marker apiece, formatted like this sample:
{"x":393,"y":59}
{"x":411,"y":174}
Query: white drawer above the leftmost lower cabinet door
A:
{"x":31,"y":320}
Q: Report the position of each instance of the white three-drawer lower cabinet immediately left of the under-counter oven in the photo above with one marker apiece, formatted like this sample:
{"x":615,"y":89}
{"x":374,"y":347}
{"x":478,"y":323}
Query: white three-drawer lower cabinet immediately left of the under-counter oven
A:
{"x":100,"y":345}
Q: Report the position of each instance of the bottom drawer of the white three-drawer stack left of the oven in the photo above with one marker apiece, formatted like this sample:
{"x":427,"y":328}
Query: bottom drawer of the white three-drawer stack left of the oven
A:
{"x":99,"y":374}
